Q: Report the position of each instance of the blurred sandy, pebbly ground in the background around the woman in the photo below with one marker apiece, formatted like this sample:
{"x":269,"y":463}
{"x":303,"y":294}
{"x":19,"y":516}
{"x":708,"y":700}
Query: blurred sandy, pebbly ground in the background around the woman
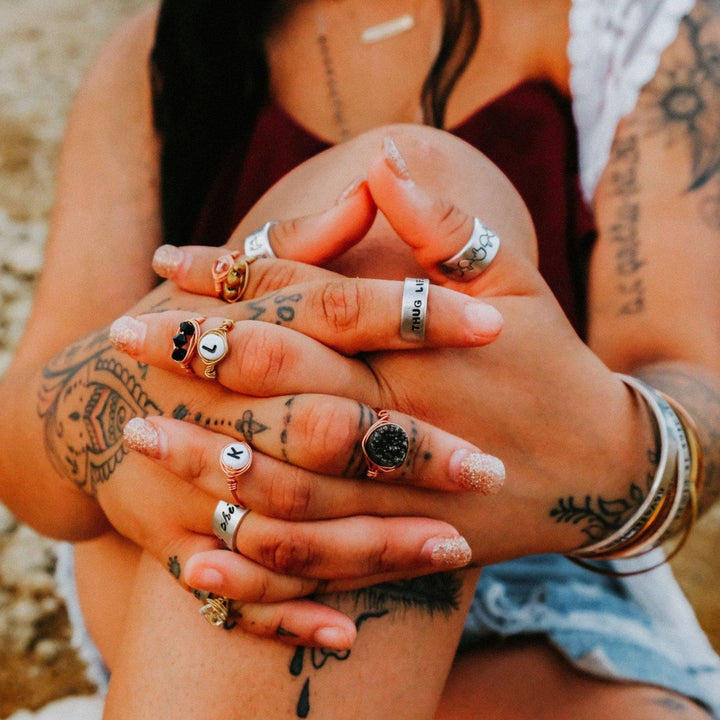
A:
{"x":45,"y":47}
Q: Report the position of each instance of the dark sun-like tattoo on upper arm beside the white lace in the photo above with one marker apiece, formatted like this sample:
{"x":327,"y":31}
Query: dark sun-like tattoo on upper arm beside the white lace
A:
{"x":683,"y":103}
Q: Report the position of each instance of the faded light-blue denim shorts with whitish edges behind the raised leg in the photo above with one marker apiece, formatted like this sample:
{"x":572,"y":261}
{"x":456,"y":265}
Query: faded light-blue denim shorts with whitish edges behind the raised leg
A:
{"x":623,"y":629}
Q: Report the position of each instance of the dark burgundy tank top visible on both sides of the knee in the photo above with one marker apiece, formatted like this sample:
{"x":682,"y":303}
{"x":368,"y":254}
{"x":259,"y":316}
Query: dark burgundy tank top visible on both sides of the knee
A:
{"x":528,"y":133}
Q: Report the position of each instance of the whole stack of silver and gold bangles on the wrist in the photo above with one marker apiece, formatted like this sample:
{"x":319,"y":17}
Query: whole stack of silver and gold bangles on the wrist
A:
{"x":670,"y":506}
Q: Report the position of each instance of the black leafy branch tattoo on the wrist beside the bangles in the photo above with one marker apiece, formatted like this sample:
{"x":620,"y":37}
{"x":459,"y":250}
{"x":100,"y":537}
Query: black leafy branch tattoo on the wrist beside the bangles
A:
{"x":598,"y":517}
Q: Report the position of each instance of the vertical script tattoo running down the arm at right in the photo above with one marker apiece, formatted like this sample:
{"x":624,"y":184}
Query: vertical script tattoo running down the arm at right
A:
{"x":624,"y":230}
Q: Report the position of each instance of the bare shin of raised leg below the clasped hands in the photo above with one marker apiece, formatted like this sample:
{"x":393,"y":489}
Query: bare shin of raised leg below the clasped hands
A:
{"x":172,"y":663}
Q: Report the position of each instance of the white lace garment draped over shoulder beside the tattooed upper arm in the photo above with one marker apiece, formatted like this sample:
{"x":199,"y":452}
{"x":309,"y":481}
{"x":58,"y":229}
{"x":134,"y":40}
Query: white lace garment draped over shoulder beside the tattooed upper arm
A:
{"x":614,"y":49}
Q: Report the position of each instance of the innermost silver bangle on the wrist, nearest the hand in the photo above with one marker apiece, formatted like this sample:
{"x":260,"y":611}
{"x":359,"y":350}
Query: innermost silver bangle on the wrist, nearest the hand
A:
{"x":665,"y":474}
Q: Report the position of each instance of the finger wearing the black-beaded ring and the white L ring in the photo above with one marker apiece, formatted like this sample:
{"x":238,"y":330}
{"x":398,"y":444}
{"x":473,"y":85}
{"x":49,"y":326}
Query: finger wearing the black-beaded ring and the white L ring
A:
{"x":262,"y":359}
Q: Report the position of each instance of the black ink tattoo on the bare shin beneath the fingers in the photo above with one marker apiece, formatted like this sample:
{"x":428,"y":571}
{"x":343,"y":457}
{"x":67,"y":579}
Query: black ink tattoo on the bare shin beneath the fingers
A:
{"x":429,"y":595}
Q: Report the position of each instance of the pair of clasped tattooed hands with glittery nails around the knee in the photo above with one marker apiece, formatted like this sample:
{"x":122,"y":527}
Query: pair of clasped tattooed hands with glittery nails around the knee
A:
{"x":311,"y":354}
